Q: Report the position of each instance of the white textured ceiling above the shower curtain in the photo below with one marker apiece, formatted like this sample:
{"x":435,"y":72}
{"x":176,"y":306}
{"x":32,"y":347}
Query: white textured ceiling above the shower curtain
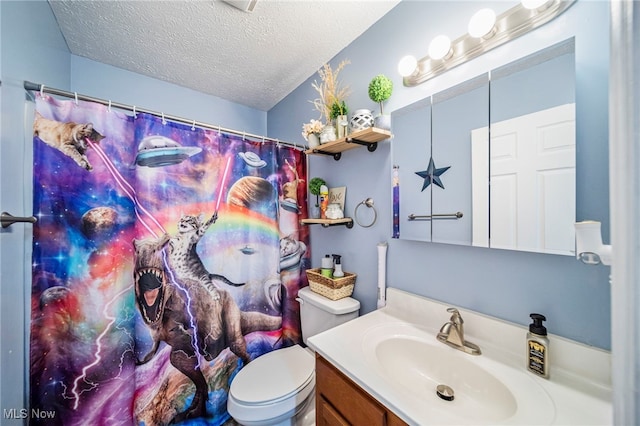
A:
{"x":254,"y":59}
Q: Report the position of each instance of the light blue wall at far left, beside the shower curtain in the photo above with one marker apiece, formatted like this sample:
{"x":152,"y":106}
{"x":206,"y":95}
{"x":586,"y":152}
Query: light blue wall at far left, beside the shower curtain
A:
{"x":32,"y":48}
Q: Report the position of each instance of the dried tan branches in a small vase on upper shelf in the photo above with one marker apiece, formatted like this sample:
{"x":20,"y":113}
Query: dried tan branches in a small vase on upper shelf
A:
{"x":332,"y":94}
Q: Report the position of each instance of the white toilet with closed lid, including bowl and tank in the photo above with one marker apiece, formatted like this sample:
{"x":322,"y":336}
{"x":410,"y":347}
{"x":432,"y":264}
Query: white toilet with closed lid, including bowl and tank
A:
{"x":278,"y":388}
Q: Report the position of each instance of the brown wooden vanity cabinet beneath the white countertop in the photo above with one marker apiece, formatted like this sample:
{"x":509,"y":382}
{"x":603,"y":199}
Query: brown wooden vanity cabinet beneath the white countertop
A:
{"x":339,"y":401}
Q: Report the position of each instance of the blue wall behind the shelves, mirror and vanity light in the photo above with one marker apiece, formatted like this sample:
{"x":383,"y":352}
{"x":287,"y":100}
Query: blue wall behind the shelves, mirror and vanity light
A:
{"x":504,"y":284}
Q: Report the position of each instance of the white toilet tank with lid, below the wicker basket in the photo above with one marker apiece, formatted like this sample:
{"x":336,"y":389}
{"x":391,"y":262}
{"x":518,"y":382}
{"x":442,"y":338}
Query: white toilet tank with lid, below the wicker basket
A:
{"x":318,"y":313}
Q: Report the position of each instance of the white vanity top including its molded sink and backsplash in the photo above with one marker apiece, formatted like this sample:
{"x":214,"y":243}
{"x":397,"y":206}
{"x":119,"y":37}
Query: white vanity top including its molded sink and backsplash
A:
{"x":577,"y":392}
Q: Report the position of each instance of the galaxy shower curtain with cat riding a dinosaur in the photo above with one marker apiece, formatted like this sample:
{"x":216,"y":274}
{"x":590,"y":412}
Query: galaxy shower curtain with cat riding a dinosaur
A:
{"x":165,"y":257}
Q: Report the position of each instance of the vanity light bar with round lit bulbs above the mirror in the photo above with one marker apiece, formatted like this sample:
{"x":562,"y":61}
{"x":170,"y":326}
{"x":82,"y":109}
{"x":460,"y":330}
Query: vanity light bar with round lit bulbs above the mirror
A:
{"x":482,"y":37}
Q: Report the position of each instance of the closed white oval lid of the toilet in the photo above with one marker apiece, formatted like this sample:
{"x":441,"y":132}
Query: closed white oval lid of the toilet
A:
{"x":273,"y":376}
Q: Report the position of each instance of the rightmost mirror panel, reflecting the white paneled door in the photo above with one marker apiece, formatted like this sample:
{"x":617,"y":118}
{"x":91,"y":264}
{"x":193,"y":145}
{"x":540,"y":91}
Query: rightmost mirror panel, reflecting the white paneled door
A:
{"x":532,"y":153}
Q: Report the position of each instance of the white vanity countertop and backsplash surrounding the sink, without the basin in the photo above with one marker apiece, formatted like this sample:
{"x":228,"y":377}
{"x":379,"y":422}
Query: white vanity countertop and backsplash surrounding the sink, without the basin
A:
{"x":578,"y":388}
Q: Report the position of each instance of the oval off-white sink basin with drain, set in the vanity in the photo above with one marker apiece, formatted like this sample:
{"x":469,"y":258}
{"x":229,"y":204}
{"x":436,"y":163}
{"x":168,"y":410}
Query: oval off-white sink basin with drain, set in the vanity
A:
{"x":484,"y":391}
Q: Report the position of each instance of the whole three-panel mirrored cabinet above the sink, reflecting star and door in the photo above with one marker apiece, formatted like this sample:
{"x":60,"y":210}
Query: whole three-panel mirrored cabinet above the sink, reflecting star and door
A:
{"x":506,"y":142}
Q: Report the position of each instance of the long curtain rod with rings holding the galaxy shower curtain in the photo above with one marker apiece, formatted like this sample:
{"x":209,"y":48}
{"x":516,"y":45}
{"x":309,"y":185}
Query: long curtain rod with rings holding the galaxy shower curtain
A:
{"x":35,"y":87}
